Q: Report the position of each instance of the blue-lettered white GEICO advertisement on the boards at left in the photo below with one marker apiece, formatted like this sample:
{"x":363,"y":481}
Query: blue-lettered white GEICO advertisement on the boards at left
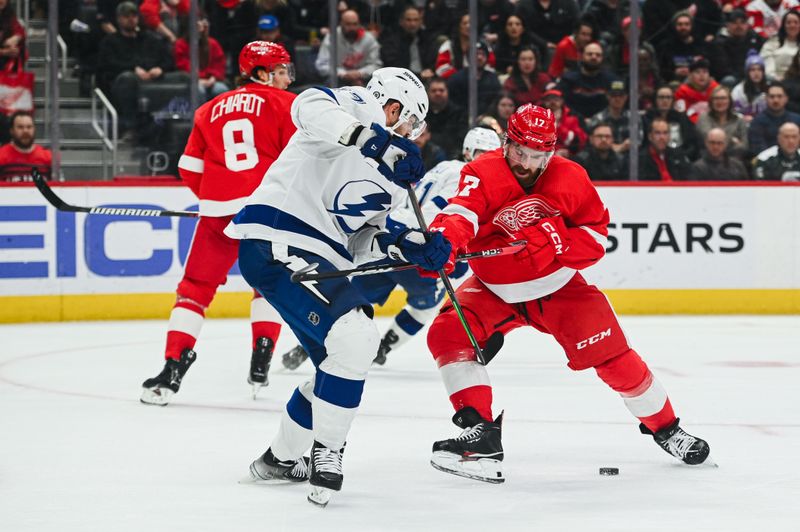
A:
{"x":45,"y":251}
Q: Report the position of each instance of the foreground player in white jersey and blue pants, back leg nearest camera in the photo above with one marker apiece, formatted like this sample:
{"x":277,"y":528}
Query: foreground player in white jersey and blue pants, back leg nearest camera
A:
{"x":325,"y":200}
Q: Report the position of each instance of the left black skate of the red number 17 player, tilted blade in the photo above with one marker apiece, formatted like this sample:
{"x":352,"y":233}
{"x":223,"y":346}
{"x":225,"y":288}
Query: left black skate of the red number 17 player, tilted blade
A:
{"x":477,"y":453}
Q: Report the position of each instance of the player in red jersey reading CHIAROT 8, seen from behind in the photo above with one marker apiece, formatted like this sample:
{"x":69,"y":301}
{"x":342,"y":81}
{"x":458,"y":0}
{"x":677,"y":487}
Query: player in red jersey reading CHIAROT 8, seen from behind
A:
{"x":235,"y":139}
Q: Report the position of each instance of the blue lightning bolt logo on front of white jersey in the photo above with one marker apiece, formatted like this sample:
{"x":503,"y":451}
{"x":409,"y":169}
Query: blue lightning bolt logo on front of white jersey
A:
{"x":355,"y":200}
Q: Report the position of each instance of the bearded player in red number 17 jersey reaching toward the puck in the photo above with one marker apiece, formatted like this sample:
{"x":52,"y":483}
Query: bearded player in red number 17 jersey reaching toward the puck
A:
{"x":523,"y":192}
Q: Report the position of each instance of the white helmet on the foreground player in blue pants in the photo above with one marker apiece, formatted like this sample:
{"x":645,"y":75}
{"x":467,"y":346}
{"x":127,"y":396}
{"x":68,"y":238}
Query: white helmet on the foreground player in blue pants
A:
{"x":392,"y":83}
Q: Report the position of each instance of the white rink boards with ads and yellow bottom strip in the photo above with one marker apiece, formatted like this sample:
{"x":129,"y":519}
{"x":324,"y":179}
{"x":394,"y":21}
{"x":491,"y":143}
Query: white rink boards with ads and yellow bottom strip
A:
{"x":688,"y":248}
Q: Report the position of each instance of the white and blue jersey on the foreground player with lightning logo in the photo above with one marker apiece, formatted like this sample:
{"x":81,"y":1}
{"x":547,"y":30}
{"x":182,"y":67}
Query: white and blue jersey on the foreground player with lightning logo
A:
{"x":320,"y":195}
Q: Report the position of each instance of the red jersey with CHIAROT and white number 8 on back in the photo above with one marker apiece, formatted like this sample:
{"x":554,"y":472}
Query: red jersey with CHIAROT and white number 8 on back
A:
{"x":236,"y":138}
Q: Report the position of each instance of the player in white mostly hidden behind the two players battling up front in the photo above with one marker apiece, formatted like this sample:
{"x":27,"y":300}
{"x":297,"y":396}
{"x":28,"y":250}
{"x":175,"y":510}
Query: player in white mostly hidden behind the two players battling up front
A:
{"x":423,"y":294}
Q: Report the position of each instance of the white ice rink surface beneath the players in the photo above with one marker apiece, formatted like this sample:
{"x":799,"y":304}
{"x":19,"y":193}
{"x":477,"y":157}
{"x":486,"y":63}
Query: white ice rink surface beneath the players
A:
{"x":78,"y":452}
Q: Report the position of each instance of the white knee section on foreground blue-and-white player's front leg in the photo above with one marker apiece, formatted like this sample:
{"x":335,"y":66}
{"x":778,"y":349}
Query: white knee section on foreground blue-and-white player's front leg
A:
{"x":351,"y":345}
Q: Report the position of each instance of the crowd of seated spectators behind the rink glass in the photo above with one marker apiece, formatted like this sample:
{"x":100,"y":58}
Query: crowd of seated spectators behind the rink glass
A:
{"x":719,"y":80}
